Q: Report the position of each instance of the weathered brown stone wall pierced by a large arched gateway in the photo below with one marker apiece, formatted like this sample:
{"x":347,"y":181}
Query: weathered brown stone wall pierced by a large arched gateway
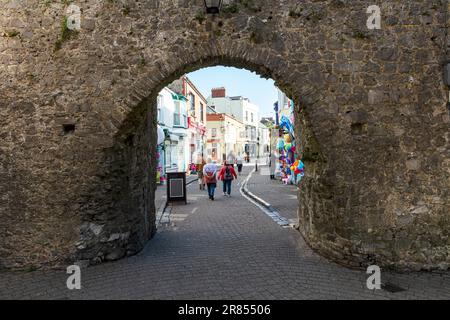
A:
{"x":78,"y":125}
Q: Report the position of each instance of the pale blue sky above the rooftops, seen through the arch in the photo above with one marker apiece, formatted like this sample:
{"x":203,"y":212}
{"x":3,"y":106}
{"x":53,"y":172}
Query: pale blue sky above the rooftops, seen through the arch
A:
{"x":238,"y":82}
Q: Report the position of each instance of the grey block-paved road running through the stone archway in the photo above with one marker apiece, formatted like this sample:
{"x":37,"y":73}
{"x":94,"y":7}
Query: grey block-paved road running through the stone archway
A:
{"x":226,"y":249}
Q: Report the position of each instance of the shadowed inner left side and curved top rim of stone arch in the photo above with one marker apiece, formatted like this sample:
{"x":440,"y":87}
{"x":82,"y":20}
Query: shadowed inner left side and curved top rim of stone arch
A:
{"x":131,"y":159}
